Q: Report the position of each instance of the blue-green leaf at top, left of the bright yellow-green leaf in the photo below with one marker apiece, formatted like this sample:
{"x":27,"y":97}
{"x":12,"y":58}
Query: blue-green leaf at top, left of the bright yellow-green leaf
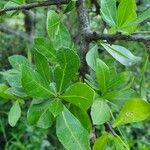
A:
{"x":109,"y":12}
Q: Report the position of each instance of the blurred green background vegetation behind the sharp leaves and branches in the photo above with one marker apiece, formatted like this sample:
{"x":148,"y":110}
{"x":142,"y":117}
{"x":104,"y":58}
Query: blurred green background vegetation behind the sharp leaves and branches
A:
{"x":17,"y":29}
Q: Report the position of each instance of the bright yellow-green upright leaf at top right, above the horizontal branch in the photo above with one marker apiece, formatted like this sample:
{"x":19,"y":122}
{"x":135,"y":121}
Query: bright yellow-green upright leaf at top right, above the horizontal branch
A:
{"x":126,"y":13}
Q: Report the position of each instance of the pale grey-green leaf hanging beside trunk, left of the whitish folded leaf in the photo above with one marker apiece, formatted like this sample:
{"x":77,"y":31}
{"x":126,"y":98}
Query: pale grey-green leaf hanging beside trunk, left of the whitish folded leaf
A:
{"x":92,"y":56}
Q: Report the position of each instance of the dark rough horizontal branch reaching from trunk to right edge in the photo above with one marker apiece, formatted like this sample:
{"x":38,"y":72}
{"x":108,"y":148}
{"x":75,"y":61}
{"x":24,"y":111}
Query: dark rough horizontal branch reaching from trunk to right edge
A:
{"x":95,"y":37}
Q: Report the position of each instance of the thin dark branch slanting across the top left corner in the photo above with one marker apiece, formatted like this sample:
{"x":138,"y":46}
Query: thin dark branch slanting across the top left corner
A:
{"x":33,"y":5}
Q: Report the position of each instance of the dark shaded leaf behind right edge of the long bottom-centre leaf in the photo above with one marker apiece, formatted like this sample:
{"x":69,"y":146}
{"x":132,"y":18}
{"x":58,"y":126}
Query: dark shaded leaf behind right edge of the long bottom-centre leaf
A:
{"x":82,"y":116}
